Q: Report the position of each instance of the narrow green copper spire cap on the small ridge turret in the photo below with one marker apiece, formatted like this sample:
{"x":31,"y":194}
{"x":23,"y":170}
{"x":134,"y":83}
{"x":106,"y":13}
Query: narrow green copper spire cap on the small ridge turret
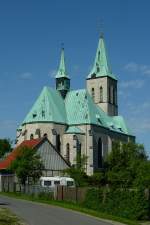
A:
{"x":62,"y":67}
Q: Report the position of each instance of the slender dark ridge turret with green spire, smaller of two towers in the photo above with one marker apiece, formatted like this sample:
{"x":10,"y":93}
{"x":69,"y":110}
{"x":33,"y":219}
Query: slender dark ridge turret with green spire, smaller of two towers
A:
{"x":62,"y":78}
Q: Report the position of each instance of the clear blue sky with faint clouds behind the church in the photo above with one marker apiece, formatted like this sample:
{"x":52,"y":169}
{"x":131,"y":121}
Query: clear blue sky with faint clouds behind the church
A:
{"x":31,"y":33}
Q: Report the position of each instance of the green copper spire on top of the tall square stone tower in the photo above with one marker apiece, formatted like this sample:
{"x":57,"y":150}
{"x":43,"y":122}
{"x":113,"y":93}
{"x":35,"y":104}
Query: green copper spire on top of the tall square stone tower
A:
{"x":101,"y":65}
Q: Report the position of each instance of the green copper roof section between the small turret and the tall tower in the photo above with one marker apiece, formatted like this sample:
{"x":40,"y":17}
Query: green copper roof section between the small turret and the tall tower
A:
{"x":81,"y":109}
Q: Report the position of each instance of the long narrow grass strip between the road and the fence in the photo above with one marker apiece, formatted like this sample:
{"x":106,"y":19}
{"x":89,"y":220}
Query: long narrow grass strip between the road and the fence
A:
{"x":72,"y":206}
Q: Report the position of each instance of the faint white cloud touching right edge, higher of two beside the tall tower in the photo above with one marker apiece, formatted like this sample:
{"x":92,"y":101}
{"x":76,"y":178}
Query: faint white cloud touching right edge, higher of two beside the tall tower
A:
{"x":137,"y":68}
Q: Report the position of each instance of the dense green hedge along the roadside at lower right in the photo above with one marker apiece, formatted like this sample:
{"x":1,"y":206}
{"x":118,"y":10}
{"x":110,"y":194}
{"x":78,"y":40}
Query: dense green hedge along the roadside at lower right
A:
{"x":131,"y":204}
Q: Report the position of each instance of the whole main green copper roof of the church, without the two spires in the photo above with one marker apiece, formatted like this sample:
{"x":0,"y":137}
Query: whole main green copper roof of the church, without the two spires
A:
{"x":77,"y":108}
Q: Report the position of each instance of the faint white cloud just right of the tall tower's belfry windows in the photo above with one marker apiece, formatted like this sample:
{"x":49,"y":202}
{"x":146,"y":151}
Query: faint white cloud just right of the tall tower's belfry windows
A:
{"x":137,"y":84}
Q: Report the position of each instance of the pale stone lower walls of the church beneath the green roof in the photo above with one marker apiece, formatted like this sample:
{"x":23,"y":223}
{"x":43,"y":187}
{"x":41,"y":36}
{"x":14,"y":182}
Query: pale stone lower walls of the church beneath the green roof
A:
{"x":89,"y":141}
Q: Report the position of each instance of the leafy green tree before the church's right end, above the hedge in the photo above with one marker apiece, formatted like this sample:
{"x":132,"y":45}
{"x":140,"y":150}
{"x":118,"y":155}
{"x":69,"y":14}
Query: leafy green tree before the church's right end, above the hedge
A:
{"x":123,"y":164}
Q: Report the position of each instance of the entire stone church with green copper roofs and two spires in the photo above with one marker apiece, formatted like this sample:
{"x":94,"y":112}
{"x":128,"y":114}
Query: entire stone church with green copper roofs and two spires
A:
{"x":79,"y":122}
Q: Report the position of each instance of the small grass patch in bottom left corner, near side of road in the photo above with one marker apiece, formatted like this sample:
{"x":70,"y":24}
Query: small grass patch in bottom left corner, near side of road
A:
{"x":8,"y":218}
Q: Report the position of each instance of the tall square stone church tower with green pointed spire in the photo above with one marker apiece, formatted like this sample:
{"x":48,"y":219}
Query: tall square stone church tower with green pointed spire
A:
{"x":101,"y":82}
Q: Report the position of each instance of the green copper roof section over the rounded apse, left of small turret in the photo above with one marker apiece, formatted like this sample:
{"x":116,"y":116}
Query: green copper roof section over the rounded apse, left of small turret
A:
{"x":49,"y":107}
